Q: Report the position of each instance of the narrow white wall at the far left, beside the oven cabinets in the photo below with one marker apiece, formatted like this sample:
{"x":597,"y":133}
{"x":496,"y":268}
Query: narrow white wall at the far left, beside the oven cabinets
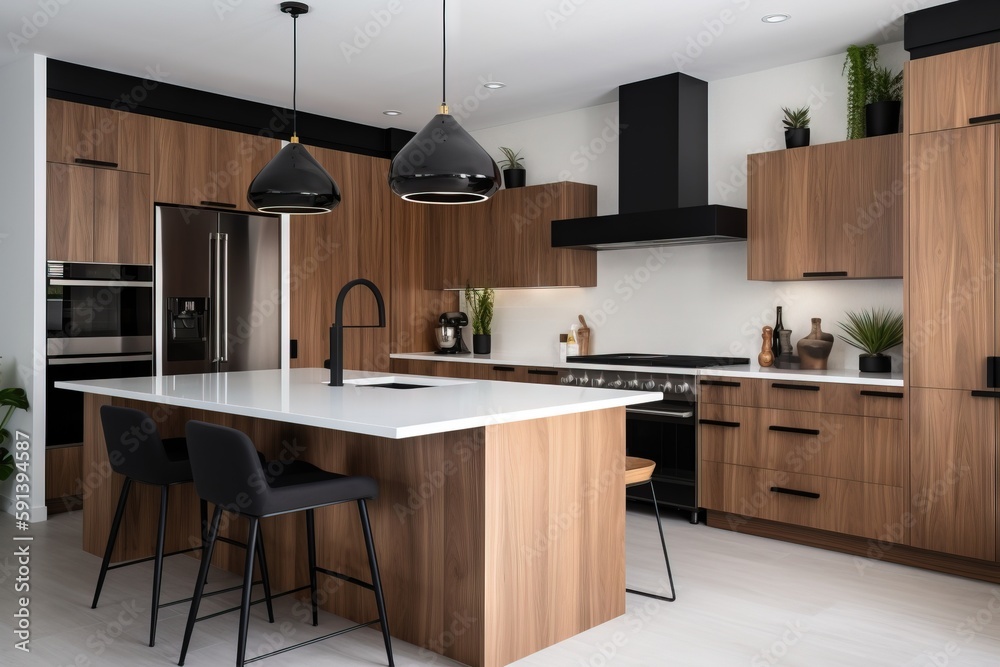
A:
{"x":22,"y":258}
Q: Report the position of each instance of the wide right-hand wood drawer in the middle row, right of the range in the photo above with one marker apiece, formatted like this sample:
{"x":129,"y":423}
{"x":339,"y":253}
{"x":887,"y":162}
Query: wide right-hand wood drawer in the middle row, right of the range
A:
{"x":833,"y":445}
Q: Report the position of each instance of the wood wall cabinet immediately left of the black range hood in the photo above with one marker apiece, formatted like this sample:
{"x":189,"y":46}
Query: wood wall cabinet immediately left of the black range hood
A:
{"x":507,"y":241}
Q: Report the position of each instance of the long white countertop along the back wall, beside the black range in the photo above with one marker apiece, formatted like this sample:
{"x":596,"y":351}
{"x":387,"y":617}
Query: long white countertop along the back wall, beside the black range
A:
{"x":748,"y":371}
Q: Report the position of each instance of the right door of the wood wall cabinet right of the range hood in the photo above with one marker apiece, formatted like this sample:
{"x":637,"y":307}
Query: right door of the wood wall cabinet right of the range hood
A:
{"x":864,"y":207}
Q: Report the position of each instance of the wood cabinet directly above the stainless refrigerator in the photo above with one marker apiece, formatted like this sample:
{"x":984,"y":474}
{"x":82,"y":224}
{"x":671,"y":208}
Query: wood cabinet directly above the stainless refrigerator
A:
{"x":204,"y":166}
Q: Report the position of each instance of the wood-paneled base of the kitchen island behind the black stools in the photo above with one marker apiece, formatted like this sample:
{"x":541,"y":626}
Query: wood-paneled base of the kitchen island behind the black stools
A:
{"x":494,"y":542}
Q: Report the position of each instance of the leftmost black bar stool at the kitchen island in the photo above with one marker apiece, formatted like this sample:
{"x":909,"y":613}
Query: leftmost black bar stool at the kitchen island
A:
{"x":136,"y":451}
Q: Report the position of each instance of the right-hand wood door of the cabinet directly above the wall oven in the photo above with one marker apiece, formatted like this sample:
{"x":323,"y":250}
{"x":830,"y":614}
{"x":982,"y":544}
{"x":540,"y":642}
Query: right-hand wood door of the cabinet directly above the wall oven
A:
{"x":123,"y":217}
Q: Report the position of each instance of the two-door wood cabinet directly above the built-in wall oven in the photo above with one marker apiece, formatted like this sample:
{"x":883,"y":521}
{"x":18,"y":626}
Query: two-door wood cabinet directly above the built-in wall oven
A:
{"x":98,"y":215}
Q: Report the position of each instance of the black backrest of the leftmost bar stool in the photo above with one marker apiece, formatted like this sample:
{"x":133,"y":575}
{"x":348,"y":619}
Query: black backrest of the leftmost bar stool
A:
{"x":134,"y":446}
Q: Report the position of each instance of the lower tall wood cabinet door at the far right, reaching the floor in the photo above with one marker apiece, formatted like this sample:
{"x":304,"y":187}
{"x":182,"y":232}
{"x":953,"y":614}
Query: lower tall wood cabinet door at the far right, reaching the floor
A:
{"x":953,"y":440}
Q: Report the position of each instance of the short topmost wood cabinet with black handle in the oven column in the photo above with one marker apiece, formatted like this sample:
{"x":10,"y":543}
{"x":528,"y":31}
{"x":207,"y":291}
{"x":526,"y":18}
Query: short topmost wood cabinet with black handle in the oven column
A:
{"x":84,"y":134}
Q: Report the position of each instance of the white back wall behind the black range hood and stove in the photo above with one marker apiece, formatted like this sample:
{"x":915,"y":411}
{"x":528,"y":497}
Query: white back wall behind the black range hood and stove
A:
{"x":685,"y":299}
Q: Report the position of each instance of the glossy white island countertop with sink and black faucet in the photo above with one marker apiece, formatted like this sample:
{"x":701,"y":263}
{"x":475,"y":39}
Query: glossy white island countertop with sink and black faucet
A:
{"x":301,"y":396}
